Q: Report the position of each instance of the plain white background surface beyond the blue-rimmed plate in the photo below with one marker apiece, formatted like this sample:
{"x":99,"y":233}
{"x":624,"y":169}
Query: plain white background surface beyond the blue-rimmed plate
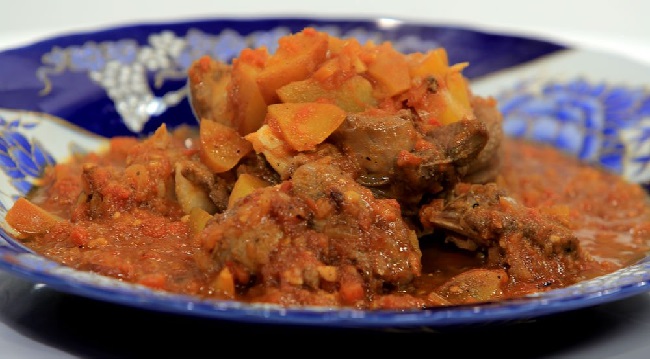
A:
{"x":621,"y":26}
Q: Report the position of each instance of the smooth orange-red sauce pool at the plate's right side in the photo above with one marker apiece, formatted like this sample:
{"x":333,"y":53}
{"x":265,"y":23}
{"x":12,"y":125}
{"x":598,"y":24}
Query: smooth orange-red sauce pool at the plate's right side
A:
{"x":610,"y":216}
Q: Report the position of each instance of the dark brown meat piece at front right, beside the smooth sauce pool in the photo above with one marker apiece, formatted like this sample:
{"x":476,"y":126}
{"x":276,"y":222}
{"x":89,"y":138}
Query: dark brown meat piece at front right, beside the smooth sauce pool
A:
{"x":532,"y":247}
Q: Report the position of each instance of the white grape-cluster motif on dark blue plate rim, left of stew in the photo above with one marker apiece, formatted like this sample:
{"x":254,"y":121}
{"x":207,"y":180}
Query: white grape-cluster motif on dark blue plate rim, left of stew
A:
{"x":122,"y":69}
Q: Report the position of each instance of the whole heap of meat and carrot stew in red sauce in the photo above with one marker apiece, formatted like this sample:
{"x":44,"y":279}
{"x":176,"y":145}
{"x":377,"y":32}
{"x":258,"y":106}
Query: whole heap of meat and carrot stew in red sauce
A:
{"x":335,"y":173}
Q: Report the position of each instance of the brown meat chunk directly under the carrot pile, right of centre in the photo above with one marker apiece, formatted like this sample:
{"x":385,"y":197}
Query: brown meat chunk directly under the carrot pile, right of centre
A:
{"x":397,"y":159}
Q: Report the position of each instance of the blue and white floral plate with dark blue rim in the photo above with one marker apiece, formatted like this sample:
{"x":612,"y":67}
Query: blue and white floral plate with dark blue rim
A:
{"x":68,"y":94}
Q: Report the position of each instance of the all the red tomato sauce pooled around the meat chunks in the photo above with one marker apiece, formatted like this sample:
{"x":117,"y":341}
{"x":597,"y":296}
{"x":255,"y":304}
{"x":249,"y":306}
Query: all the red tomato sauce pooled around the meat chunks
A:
{"x":153,"y":244}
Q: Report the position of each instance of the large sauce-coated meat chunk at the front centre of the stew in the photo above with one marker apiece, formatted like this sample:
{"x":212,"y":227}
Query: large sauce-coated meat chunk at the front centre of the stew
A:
{"x":320,"y":232}
